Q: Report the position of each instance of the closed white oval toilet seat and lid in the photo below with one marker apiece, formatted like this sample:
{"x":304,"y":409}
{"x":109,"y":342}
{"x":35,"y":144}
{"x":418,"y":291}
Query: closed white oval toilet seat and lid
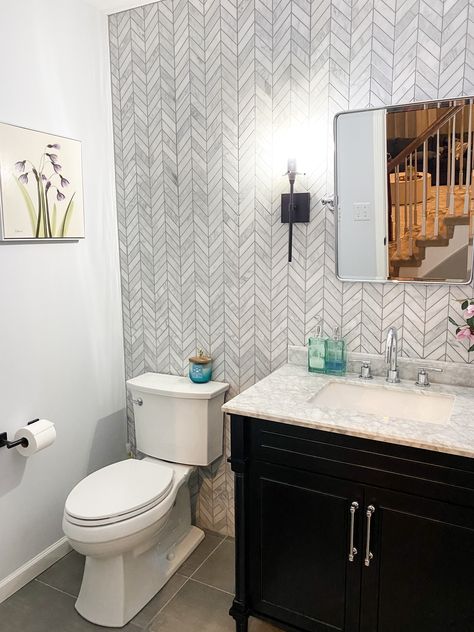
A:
{"x":118,"y":492}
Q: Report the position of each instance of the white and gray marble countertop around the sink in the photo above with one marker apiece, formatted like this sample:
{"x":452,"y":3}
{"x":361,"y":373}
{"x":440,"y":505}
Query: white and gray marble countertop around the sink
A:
{"x":286,"y":395}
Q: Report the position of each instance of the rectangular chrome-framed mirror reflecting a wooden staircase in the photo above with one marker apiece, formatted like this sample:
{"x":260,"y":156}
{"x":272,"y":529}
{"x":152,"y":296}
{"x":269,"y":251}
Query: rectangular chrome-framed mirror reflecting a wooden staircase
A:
{"x":403,"y":193}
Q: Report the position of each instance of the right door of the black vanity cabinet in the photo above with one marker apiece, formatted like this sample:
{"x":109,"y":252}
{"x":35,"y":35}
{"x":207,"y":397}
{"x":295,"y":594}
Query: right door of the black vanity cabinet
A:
{"x":421,"y":576}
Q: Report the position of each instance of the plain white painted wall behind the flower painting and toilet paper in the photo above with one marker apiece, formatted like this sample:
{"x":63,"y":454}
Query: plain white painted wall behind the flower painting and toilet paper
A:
{"x":61,"y":353}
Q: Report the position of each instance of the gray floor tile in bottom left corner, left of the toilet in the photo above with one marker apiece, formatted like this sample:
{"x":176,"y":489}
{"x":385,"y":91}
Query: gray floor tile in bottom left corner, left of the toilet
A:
{"x":39,"y":608}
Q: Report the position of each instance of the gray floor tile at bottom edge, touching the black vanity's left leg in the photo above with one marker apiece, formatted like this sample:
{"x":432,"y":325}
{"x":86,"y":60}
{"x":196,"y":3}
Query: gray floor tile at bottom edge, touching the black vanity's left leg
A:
{"x":196,"y":608}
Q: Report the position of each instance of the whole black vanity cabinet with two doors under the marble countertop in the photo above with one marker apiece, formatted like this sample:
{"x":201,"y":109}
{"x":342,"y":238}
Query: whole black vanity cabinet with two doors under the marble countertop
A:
{"x":336,"y":533}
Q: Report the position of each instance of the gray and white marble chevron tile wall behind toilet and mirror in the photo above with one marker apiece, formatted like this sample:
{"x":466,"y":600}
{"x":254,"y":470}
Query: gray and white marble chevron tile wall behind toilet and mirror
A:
{"x":204,"y":91}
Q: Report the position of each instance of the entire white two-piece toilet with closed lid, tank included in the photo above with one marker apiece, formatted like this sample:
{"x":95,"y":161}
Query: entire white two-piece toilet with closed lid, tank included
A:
{"x":132,"y":519}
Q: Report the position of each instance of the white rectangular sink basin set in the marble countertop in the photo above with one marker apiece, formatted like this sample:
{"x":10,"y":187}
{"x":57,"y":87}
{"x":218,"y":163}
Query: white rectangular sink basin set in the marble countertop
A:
{"x":386,"y":402}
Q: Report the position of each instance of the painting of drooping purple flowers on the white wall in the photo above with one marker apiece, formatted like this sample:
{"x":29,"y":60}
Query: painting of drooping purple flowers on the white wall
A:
{"x":41,"y":194}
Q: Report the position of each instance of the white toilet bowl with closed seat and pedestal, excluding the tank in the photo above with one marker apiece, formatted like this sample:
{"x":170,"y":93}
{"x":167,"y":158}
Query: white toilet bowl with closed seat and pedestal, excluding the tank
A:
{"x":131,"y":552}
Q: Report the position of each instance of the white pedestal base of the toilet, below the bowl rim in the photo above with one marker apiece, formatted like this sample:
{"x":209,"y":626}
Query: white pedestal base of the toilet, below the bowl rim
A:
{"x":116,"y":587}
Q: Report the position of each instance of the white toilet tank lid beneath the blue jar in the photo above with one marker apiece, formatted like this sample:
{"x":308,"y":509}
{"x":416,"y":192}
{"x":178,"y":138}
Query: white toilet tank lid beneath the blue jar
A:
{"x":175,"y":386}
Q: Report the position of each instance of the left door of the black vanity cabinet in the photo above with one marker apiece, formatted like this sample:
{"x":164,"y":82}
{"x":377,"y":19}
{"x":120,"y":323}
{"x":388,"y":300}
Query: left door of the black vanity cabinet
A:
{"x":299,"y":539}
